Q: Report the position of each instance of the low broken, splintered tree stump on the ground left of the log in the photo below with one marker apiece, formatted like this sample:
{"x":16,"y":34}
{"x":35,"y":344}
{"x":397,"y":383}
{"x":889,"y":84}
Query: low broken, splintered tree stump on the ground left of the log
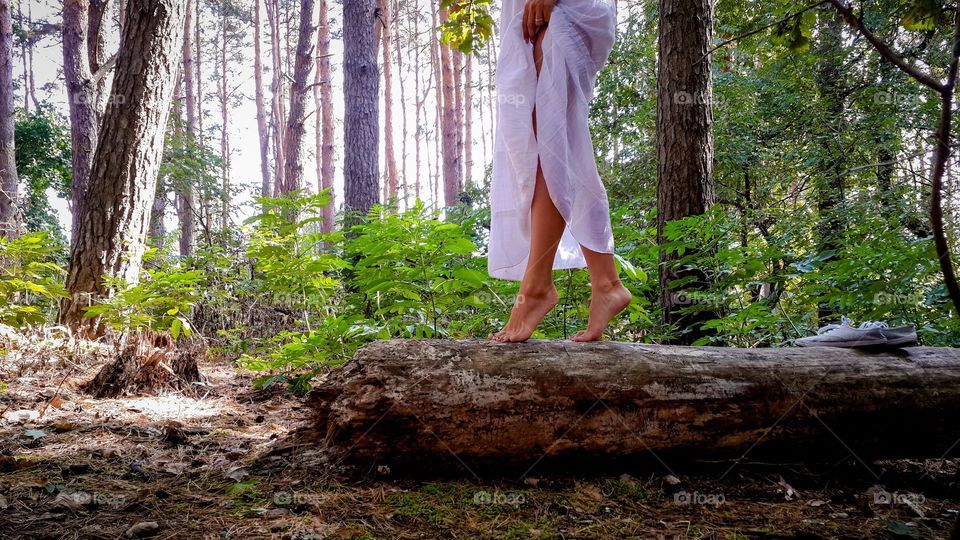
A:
{"x":147,"y":363}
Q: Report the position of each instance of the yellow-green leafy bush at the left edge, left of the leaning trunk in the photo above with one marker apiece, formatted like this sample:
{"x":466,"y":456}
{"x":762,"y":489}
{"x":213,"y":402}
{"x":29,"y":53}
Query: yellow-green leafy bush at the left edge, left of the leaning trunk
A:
{"x":30,"y":281}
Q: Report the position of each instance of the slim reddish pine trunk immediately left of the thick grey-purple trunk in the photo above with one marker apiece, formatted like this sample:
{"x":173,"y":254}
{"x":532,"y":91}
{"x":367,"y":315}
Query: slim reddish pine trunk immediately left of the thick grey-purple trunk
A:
{"x":326,"y":135}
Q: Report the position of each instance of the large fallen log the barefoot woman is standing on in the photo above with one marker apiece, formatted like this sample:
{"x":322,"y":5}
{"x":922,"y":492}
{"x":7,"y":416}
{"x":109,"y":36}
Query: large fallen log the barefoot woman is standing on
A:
{"x":438,"y":404}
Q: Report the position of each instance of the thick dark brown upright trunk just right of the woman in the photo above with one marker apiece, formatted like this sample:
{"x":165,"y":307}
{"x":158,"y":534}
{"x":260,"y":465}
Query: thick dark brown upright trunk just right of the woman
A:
{"x":684,"y":138}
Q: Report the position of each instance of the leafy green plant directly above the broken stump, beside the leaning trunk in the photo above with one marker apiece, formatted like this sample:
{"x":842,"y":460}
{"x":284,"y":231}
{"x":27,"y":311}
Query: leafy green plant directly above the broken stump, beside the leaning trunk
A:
{"x":161,"y":301}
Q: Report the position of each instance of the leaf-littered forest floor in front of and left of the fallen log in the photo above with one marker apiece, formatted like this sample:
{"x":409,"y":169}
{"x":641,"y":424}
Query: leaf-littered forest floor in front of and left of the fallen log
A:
{"x":215,"y":465}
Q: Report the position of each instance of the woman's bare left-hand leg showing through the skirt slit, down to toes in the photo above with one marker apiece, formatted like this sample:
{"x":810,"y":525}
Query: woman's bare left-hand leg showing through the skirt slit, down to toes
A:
{"x":538,"y":294}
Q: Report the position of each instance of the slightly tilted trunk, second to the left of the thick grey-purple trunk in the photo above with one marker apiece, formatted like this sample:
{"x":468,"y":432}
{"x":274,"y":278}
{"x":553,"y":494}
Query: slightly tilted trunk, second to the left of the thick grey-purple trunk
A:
{"x":296,"y":127}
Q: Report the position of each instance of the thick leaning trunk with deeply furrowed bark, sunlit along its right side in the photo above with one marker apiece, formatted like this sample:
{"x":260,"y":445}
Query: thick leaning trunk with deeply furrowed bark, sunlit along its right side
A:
{"x":112,"y":226}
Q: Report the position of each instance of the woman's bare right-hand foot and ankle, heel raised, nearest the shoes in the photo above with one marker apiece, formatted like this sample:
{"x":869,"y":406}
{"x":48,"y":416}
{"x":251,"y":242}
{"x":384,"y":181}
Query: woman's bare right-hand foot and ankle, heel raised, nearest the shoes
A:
{"x":608,"y":295}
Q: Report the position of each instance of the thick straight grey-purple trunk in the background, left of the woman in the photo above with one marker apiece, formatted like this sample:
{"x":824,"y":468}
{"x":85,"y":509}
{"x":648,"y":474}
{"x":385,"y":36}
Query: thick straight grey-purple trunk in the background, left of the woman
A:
{"x":361,"y":116}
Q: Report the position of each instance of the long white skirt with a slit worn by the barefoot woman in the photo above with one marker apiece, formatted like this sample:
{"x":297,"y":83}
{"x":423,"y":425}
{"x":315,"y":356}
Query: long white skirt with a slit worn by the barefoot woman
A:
{"x":576,"y":45}
